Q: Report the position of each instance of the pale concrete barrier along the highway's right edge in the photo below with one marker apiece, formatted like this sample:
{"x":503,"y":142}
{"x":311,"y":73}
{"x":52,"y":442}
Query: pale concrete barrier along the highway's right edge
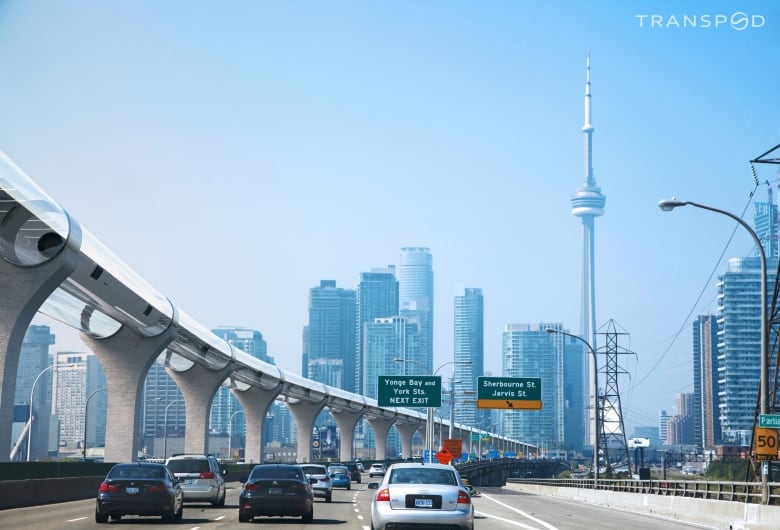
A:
{"x":705,"y":512}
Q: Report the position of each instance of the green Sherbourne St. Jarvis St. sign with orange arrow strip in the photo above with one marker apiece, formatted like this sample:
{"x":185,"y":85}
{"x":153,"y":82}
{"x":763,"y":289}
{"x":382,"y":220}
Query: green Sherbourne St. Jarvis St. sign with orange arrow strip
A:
{"x":523,"y":393}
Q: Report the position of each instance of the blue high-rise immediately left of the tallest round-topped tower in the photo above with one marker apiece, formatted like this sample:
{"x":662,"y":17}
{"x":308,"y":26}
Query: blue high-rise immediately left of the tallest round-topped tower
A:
{"x":377,"y":297}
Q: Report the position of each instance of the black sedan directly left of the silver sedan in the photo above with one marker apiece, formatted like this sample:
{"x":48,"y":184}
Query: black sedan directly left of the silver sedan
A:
{"x":276,"y":490}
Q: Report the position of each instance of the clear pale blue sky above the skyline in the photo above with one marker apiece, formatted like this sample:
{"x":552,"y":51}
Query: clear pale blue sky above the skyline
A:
{"x":235,"y":153}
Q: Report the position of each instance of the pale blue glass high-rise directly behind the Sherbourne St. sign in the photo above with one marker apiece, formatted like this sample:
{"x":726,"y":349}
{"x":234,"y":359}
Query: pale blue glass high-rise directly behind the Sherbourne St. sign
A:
{"x":528,"y":351}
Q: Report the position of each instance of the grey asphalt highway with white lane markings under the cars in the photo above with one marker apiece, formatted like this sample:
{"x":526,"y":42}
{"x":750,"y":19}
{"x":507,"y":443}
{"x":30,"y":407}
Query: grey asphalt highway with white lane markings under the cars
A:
{"x":496,"y":509}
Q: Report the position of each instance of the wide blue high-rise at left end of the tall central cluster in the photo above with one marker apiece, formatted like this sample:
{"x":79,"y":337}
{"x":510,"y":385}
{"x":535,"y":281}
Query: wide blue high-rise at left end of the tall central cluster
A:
{"x":329,"y":347}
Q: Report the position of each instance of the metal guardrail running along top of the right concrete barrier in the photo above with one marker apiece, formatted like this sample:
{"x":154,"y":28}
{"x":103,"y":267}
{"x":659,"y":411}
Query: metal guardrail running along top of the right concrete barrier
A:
{"x":745,"y":492}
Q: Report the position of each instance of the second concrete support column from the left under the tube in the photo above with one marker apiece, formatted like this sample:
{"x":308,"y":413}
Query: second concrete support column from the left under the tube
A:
{"x":126,"y":358}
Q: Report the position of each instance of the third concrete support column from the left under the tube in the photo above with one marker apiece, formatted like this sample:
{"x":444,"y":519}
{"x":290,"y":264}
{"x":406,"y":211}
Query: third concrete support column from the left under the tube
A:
{"x":198,"y":386}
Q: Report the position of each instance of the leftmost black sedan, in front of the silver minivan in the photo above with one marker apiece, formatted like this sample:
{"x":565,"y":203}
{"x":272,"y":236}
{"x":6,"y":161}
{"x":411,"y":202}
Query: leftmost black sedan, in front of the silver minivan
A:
{"x":139,"y":489}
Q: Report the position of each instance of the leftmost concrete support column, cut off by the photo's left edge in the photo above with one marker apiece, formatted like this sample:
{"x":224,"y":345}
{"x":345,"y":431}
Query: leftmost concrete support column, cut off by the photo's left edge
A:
{"x":23,"y":290}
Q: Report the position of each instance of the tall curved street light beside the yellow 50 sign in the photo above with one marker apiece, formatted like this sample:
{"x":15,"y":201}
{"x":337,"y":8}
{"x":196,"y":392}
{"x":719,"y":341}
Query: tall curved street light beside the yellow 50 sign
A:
{"x":668,"y":205}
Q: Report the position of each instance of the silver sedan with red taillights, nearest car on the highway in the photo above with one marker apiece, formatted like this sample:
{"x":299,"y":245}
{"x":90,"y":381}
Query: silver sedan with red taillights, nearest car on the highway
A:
{"x":421,"y":494}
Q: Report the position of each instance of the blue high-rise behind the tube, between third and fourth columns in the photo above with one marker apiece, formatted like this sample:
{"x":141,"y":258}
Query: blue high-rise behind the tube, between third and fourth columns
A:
{"x":225,"y":417}
